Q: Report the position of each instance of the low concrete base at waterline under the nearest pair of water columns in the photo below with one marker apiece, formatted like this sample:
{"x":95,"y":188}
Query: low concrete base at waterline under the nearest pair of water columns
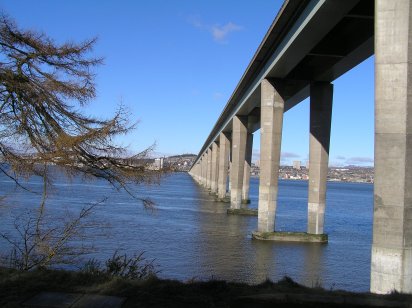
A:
{"x":301,"y":237}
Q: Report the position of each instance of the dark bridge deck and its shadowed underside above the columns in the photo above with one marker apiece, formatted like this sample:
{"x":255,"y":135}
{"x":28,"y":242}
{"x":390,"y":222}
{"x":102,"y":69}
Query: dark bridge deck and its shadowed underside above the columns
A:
{"x":344,"y":45}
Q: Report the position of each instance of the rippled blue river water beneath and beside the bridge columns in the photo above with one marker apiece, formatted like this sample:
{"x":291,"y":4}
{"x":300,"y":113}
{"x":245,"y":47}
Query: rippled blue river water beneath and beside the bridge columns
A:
{"x":190,"y":235}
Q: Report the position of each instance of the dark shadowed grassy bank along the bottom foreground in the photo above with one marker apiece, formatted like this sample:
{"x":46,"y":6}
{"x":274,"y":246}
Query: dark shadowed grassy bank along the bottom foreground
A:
{"x":17,"y":286}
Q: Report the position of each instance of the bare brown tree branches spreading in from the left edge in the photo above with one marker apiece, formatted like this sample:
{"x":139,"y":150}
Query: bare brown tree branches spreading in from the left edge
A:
{"x":42,"y":85}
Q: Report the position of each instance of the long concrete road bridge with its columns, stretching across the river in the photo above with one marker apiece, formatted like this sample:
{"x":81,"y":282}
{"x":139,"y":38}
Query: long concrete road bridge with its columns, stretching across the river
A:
{"x":308,"y":46}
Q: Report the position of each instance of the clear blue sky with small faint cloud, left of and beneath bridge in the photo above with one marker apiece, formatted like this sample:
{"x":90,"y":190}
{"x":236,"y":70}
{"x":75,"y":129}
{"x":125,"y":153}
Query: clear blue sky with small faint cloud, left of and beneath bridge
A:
{"x":174,"y":64}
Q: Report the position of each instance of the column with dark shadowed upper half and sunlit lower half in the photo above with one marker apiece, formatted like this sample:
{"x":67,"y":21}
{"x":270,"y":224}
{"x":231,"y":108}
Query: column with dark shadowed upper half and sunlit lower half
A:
{"x":321,"y":97}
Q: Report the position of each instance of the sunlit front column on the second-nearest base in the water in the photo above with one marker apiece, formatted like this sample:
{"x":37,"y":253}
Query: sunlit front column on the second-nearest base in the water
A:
{"x":239,"y":137}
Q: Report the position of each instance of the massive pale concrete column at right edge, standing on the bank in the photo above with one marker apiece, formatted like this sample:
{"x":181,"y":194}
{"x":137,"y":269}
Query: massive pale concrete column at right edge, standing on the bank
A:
{"x":391,"y":267}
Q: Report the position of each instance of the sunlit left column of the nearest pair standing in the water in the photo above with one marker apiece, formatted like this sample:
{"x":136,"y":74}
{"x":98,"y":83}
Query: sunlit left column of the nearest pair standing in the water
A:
{"x":271,"y":119}
